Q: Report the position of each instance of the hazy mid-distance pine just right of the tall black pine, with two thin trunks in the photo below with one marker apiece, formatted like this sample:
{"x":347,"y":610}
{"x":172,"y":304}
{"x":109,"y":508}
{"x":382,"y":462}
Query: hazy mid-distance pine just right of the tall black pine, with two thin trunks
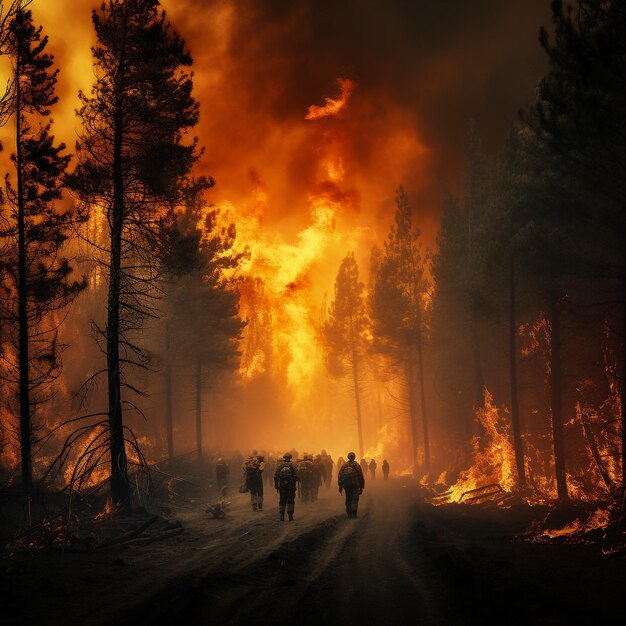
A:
{"x":203,"y":327}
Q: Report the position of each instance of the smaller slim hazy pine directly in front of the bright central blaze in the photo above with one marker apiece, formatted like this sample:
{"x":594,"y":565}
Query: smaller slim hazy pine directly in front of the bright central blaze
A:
{"x":344,"y":332}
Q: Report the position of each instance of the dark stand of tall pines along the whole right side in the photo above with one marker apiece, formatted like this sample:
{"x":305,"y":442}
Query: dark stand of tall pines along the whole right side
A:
{"x":549,"y":235}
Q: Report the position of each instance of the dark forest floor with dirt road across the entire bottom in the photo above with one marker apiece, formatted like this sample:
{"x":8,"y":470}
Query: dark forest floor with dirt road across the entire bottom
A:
{"x":400,"y":560}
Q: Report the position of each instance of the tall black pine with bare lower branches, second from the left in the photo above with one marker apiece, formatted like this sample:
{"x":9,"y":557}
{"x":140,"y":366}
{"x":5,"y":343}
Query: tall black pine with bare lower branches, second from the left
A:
{"x":132,"y":158}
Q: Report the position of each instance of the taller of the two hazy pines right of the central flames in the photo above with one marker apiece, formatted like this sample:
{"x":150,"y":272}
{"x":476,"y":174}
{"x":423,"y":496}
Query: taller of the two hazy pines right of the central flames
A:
{"x":398,"y":300}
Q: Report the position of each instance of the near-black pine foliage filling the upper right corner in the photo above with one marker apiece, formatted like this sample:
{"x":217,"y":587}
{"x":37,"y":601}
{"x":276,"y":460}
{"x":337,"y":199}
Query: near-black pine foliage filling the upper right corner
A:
{"x":576,"y":129}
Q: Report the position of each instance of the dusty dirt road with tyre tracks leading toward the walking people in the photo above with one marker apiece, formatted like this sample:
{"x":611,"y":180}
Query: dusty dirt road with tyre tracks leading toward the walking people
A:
{"x":323,"y":566}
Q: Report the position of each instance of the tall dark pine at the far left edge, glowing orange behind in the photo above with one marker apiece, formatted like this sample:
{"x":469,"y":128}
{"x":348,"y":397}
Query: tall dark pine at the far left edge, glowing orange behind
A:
{"x":35,"y":277}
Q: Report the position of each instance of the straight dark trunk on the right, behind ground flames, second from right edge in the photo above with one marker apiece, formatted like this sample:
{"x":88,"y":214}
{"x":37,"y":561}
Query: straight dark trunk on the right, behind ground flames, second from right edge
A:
{"x":556,"y":401}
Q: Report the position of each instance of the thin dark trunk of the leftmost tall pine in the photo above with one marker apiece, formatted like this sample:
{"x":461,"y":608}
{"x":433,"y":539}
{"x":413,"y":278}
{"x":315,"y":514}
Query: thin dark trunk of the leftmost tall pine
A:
{"x":22,"y":296}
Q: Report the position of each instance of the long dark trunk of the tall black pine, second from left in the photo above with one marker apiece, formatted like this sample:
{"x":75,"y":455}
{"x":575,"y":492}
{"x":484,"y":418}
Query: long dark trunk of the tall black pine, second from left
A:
{"x":120,"y":490}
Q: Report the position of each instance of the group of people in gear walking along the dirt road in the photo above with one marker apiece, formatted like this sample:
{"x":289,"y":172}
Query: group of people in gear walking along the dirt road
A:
{"x":303,"y":477}
